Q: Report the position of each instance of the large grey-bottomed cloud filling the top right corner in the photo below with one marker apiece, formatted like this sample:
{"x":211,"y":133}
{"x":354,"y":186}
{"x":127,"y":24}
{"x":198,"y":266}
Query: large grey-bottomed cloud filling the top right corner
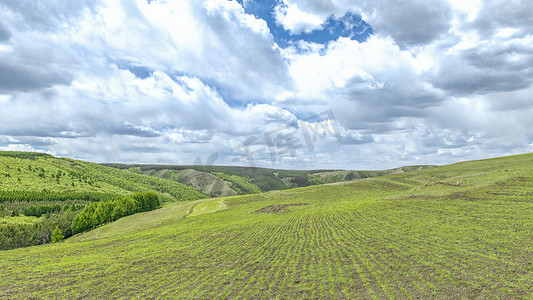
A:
{"x":502,"y":59}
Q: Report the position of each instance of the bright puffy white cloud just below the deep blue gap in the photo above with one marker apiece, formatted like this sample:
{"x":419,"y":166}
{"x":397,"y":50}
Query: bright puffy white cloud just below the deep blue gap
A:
{"x":371,"y":82}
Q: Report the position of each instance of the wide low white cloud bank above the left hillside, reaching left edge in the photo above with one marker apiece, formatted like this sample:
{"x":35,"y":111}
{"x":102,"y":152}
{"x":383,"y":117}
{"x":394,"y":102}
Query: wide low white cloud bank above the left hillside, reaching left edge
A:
{"x":160,"y":115}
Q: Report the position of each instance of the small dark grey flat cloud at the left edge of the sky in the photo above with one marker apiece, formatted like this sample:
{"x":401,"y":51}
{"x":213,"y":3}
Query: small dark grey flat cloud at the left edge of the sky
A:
{"x":21,"y":78}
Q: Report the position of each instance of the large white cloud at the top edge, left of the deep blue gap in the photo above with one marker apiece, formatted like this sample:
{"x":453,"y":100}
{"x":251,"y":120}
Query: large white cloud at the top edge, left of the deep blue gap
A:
{"x":225,"y":46}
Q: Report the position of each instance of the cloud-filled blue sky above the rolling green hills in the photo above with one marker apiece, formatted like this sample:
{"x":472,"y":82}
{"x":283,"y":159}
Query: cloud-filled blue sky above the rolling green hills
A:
{"x":293,"y":84}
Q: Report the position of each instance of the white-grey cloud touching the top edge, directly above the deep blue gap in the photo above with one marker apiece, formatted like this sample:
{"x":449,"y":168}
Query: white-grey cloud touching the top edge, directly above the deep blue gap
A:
{"x":413,"y":22}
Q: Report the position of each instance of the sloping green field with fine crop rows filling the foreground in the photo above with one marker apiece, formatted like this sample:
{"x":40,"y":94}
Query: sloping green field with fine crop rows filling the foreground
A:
{"x":463,"y":231}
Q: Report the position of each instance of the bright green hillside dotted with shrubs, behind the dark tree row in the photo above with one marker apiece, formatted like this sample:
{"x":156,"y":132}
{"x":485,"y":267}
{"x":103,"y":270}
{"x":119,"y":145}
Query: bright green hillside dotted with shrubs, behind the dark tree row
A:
{"x":21,"y":171}
